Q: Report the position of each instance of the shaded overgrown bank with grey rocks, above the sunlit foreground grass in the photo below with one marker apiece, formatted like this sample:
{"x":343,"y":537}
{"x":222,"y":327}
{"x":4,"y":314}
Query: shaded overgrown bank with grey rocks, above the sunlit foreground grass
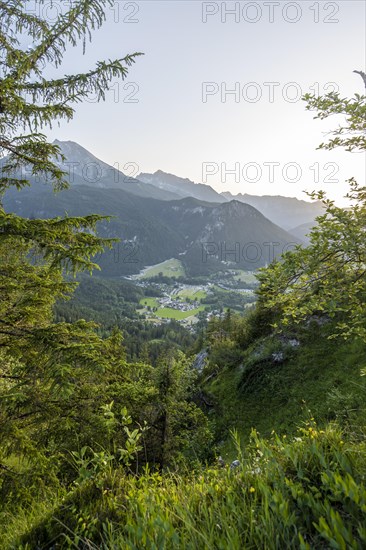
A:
{"x":276,"y":382}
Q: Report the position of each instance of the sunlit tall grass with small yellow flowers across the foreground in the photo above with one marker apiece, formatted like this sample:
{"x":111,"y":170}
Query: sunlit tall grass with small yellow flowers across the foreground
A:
{"x":303,"y":492}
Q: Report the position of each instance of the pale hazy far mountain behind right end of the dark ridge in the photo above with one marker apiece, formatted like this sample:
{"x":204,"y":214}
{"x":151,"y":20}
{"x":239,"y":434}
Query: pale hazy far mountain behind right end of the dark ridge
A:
{"x":287,"y":212}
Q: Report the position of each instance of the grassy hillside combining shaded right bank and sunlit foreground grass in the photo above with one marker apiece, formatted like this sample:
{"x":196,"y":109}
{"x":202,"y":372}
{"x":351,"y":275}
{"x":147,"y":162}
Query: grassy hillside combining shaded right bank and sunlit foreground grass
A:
{"x":291,"y":492}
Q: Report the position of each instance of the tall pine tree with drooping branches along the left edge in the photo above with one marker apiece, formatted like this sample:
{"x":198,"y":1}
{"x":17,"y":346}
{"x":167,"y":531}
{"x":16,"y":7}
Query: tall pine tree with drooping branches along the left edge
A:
{"x":48,"y":370}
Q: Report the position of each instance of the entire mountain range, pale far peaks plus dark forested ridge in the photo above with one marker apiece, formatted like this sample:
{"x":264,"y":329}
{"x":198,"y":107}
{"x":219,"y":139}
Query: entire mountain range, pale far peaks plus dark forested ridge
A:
{"x":156,"y":221}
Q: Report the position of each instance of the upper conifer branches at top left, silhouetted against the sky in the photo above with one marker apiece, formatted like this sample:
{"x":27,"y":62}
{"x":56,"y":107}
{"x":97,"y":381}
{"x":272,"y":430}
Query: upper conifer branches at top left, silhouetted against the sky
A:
{"x":28,"y":101}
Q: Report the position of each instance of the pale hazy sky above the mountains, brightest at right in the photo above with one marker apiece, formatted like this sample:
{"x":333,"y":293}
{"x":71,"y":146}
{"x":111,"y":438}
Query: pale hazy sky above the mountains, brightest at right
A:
{"x":175,"y":112}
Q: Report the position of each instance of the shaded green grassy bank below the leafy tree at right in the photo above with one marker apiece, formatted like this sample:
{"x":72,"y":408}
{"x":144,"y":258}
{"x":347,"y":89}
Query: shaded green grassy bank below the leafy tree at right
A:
{"x":320,"y":378}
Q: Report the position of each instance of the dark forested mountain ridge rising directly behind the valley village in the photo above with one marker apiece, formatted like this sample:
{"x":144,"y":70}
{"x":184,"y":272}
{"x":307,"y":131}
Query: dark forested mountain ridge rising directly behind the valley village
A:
{"x":205,"y":236}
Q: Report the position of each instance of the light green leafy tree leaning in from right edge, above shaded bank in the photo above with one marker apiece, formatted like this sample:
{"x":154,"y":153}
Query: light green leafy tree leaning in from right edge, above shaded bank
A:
{"x":327,"y":278}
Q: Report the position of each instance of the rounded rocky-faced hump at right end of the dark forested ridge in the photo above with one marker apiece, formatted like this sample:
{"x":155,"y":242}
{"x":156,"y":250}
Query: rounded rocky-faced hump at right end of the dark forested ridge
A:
{"x":231,"y":234}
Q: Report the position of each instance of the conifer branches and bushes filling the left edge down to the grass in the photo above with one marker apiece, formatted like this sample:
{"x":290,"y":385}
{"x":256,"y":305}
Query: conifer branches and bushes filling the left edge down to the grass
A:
{"x":55,"y":378}
